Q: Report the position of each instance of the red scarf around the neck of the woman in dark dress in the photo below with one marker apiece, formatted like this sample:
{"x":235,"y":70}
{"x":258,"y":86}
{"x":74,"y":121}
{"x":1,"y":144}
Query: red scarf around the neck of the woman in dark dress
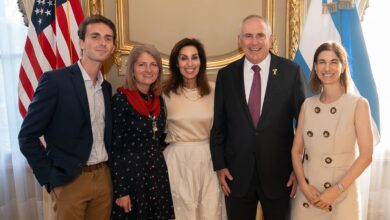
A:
{"x":144,"y":107}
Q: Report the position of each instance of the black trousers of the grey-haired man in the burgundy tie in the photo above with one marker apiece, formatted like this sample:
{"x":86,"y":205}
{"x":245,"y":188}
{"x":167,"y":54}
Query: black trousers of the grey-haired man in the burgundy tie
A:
{"x":244,"y":208}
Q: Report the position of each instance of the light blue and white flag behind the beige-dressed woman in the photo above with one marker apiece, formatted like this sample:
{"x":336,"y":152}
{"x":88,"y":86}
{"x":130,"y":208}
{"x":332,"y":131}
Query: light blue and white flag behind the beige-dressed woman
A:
{"x":339,"y":21}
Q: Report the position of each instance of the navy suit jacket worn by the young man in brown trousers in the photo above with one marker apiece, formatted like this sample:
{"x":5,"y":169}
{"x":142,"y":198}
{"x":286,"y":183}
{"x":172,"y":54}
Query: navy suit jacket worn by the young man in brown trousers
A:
{"x":60,"y":112}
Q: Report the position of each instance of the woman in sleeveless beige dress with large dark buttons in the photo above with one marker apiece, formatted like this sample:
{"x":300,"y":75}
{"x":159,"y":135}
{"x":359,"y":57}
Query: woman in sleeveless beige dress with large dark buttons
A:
{"x":333,"y":143}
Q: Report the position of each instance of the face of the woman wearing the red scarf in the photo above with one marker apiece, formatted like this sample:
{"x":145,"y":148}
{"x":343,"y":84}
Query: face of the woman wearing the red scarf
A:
{"x":146,"y":72}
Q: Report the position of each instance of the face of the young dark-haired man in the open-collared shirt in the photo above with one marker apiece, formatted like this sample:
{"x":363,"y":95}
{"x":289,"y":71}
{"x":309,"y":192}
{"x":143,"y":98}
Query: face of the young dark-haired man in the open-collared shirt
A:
{"x":98,"y":44}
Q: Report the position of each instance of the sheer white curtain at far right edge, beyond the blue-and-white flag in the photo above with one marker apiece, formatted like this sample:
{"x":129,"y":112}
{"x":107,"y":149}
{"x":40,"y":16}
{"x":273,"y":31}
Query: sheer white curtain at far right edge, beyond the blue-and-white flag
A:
{"x":378,"y":49}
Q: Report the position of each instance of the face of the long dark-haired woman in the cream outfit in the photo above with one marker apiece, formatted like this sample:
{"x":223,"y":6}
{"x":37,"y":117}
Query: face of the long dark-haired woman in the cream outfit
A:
{"x":189,"y":63}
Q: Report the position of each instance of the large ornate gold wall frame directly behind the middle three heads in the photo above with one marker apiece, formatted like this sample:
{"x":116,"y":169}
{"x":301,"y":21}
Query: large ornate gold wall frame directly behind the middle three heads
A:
{"x":124,"y":45}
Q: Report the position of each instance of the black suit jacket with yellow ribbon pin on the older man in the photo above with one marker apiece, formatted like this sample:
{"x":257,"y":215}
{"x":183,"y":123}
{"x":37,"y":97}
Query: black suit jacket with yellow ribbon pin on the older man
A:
{"x":237,"y":145}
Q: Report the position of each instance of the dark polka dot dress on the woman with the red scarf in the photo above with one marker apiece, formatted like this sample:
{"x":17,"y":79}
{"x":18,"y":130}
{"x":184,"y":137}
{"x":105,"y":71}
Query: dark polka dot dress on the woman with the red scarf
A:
{"x":138,"y":167}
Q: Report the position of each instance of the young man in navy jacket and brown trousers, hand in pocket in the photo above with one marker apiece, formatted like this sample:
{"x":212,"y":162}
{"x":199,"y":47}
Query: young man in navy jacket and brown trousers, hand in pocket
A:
{"x":71,"y":110}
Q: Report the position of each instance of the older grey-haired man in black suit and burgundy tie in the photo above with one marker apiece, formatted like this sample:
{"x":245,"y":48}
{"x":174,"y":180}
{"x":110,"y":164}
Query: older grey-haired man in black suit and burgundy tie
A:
{"x":253,"y":131}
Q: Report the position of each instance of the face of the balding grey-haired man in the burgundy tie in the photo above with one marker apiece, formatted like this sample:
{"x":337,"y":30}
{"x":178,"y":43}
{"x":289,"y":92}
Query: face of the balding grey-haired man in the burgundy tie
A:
{"x":255,"y":39}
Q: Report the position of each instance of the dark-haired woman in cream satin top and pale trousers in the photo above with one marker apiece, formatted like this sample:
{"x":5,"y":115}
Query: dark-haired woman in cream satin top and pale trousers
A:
{"x":189,"y":99}
